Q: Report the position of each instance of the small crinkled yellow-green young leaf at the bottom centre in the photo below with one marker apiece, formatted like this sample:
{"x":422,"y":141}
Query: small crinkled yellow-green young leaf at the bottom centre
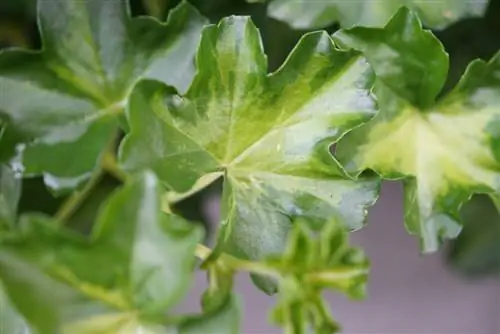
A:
{"x":313,"y":262}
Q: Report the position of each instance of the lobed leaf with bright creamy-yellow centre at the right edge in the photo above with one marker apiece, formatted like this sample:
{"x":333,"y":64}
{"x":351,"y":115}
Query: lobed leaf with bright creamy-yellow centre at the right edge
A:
{"x":445,"y":150}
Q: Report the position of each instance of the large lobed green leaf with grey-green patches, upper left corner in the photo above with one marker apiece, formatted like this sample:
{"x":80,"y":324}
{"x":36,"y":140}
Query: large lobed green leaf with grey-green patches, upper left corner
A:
{"x":65,"y":99}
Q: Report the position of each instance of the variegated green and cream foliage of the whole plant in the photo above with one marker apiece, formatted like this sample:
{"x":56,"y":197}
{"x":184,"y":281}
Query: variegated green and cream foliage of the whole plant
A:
{"x":124,"y":117}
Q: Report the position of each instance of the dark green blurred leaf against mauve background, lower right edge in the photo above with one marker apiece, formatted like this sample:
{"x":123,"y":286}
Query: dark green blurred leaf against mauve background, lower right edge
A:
{"x":476,"y":251}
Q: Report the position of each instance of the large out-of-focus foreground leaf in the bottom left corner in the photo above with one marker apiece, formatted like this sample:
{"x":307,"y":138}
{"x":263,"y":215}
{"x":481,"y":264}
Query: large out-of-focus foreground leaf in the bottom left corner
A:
{"x":136,"y":266}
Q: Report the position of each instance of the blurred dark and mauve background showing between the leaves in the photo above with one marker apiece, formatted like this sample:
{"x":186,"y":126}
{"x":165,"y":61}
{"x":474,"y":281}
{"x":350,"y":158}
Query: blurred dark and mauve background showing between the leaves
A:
{"x":455,"y":291}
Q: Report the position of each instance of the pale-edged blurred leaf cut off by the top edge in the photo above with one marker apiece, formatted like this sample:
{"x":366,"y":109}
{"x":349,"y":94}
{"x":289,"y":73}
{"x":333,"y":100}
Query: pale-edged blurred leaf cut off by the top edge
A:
{"x":306,"y":14}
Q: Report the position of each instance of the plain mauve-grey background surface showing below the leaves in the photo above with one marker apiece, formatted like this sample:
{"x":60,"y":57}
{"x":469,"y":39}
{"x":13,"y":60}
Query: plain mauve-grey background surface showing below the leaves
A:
{"x":407,"y":292}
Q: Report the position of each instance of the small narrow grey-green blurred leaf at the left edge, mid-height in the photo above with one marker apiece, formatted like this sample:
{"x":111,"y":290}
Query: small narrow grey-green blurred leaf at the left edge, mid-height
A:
{"x":10,"y":192}
